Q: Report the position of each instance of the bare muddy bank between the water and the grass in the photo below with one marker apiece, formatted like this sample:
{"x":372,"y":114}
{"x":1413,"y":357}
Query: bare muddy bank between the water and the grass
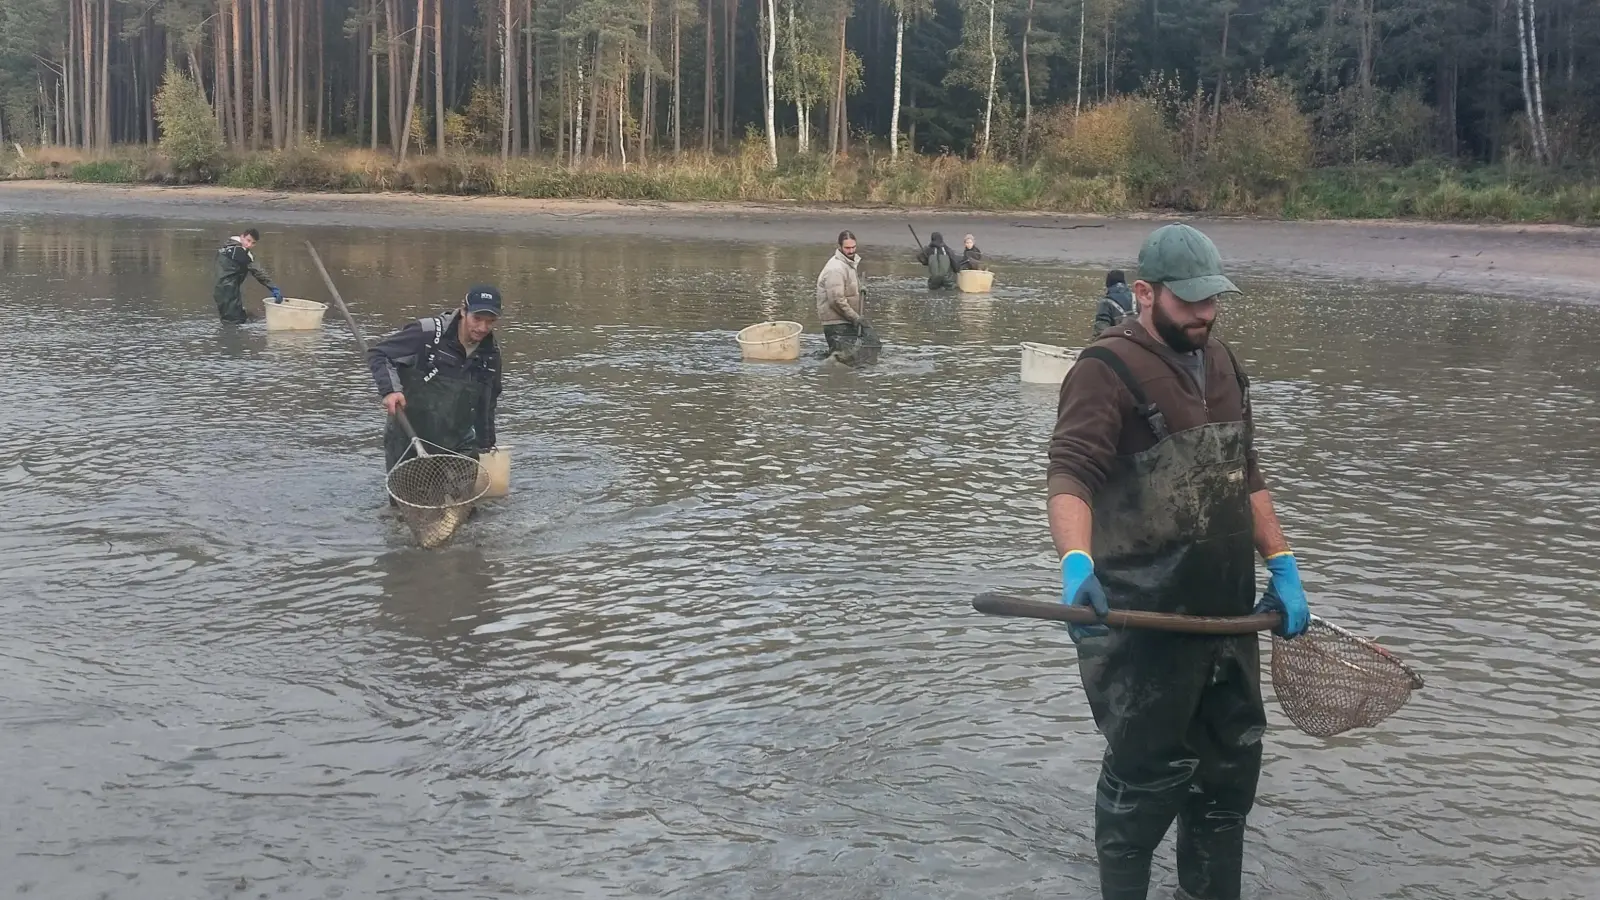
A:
{"x":1540,"y":262}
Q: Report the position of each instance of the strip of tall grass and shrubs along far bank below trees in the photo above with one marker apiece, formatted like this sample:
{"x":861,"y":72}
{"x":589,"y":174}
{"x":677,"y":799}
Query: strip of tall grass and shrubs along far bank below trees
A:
{"x":1425,"y":191}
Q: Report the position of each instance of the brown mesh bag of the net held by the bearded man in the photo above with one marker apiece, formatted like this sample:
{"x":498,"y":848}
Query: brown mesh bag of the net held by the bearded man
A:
{"x":1330,"y":681}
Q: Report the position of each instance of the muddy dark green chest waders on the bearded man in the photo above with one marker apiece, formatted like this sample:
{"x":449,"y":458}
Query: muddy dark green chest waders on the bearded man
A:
{"x":1182,"y":715}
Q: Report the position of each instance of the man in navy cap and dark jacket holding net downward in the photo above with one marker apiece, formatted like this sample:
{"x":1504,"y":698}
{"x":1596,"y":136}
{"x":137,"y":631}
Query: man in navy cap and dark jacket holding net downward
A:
{"x":446,"y":374}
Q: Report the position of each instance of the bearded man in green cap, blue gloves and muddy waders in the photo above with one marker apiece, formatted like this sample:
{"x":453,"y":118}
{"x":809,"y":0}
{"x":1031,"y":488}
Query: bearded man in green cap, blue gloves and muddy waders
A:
{"x":1156,"y":504}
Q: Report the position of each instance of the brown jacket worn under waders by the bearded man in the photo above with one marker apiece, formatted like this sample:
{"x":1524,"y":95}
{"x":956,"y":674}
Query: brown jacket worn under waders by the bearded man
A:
{"x":1097,"y":419}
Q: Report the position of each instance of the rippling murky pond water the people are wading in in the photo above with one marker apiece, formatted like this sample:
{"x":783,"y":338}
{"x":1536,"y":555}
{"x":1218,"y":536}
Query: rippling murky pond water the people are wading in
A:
{"x":718,"y":643}
